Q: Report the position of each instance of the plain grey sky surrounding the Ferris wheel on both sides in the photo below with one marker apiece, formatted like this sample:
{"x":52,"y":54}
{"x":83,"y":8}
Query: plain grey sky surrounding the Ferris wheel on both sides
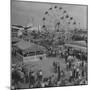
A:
{"x":26,"y":12}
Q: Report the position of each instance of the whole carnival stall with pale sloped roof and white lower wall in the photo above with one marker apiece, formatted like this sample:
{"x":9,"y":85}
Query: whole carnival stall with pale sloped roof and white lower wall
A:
{"x":27,"y":51}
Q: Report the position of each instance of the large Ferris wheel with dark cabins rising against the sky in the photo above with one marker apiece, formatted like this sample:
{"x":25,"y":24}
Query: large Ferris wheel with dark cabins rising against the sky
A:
{"x":57,"y":18}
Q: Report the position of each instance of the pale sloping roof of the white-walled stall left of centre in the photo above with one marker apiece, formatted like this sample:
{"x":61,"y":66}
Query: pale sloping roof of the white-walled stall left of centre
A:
{"x":26,"y":45}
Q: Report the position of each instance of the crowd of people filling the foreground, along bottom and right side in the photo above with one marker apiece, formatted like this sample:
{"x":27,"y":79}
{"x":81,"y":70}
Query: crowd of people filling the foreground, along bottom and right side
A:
{"x":75,"y":65}
